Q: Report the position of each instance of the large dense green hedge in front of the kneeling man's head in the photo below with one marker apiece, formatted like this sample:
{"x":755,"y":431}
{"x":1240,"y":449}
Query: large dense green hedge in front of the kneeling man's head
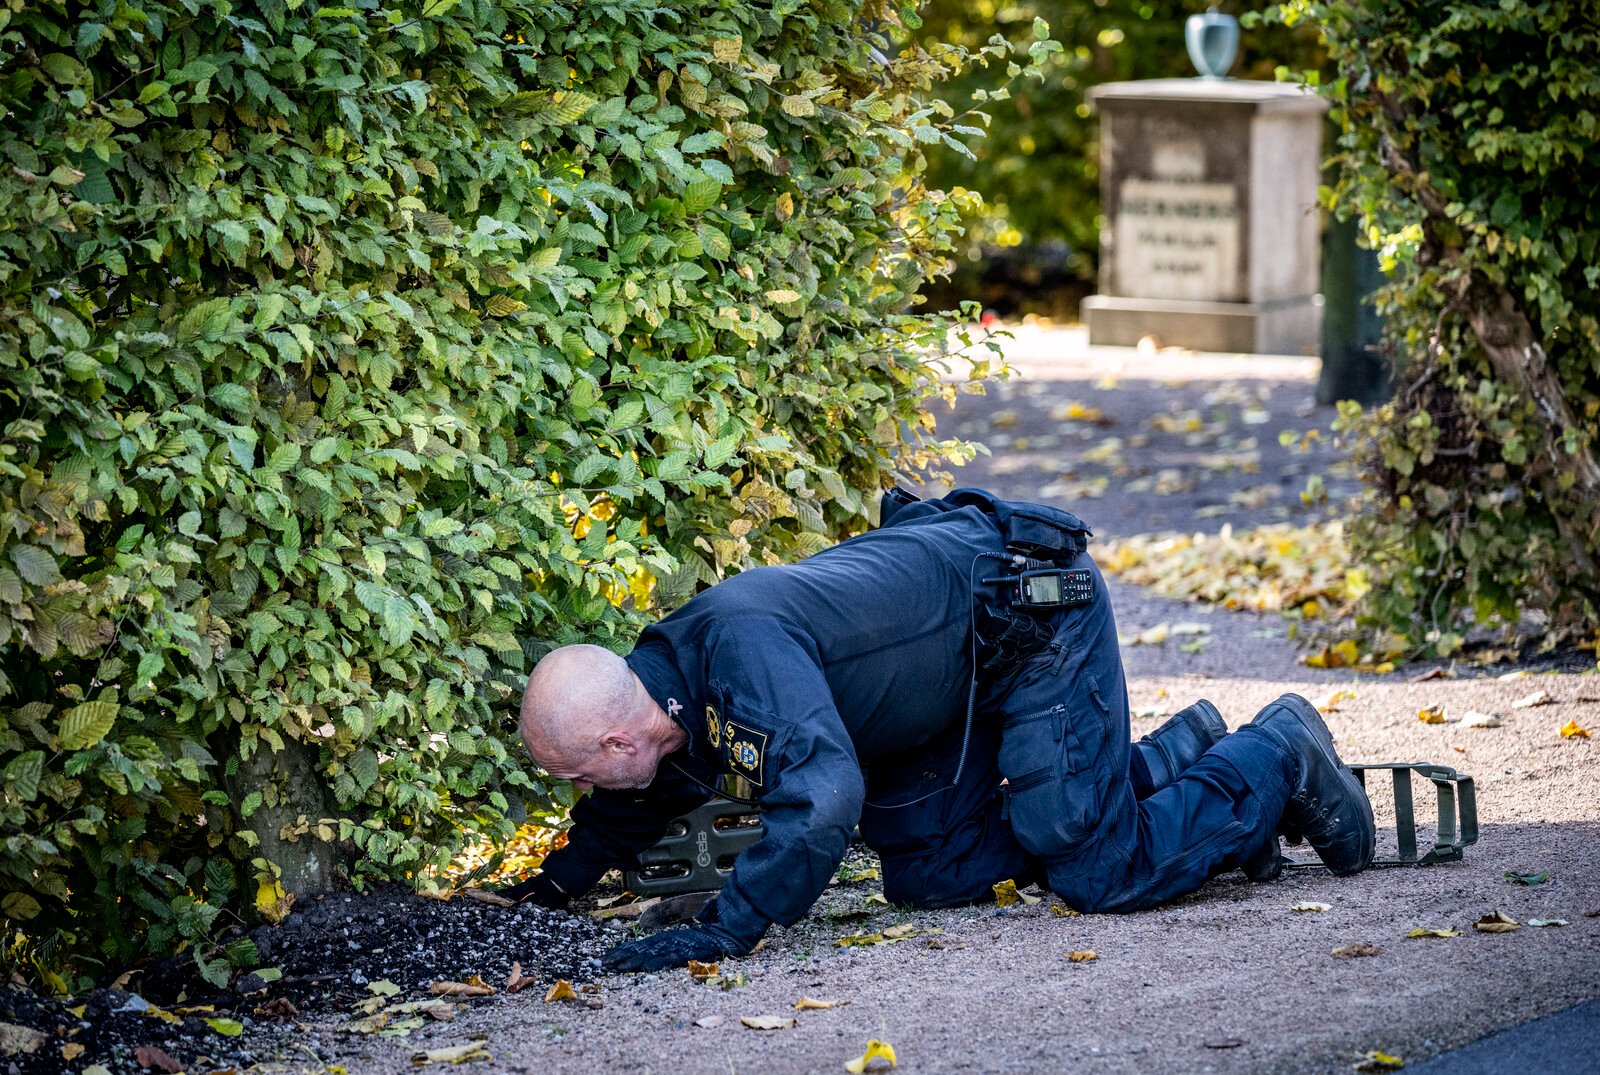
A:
{"x":353,"y":356}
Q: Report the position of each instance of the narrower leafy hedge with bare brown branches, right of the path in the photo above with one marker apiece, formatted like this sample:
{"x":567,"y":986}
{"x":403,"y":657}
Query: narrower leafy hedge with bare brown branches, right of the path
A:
{"x":1471,"y":143}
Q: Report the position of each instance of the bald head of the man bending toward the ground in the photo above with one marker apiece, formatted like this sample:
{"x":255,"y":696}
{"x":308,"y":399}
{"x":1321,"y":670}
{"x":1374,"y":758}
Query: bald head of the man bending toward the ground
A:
{"x":588,"y":719}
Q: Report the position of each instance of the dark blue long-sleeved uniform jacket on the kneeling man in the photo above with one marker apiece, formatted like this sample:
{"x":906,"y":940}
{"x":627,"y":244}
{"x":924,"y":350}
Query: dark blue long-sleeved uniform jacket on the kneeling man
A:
{"x":798,"y":677}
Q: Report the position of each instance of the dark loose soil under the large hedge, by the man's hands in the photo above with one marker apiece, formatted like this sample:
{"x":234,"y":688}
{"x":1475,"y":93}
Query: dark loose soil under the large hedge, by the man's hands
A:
{"x":330,"y":954}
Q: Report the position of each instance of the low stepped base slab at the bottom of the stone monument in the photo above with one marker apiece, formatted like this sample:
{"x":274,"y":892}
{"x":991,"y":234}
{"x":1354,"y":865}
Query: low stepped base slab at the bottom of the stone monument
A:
{"x":1287,"y":327}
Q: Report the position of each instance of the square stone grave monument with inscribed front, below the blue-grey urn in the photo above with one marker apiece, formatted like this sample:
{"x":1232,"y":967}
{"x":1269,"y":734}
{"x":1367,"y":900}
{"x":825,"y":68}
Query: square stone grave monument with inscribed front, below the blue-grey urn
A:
{"x":1212,"y":236}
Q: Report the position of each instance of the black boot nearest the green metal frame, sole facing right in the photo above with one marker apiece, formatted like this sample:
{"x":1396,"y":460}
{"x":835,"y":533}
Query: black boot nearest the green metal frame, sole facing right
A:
{"x":1327,"y":804}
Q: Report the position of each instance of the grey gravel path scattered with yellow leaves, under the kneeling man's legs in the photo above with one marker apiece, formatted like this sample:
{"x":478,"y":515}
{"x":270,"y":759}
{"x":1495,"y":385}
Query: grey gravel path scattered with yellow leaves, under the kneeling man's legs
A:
{"x":1230,"y":980}
